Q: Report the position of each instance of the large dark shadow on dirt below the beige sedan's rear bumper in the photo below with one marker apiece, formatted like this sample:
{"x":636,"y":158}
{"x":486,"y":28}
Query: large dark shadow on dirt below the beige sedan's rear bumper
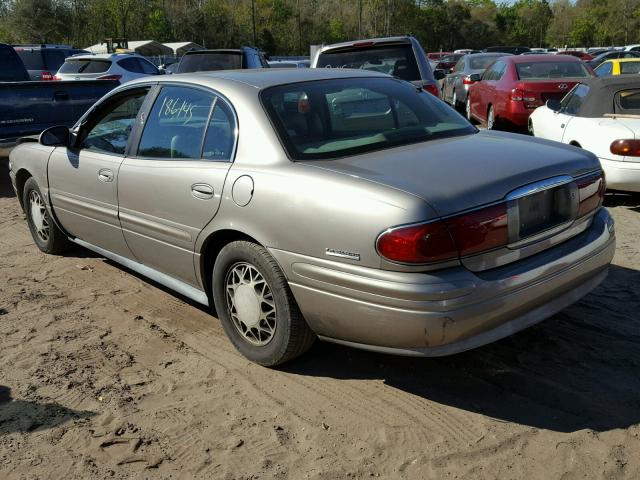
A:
{"x":577,"y":370}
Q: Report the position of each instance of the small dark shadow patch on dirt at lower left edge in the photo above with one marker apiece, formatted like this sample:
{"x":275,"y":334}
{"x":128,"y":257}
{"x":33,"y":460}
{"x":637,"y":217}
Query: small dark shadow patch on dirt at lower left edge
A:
{"x":23,"y":416}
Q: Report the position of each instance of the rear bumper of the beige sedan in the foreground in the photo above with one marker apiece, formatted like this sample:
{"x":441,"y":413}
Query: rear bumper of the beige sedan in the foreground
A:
{"x":446,"y":312}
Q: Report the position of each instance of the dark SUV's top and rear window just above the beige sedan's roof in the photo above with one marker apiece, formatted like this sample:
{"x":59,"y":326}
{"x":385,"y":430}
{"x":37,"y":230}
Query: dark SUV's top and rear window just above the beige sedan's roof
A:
{"x":222,"y":59}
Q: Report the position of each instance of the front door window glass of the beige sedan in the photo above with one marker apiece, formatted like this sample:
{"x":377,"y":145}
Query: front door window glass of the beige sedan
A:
{"x":109,"y":131}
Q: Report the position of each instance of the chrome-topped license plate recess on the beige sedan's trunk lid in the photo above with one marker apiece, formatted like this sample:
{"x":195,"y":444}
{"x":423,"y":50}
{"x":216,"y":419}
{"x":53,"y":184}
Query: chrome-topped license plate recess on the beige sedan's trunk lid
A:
{"x":541,"y":208}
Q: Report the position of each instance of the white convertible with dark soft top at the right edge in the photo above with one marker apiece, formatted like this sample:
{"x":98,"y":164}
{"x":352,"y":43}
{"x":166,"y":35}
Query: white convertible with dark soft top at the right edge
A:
{"x":601,"y":115}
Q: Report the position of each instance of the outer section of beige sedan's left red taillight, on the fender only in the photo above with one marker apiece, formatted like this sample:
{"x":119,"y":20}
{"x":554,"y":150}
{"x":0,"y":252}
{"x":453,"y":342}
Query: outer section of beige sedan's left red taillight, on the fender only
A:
{"x":426,"y":243}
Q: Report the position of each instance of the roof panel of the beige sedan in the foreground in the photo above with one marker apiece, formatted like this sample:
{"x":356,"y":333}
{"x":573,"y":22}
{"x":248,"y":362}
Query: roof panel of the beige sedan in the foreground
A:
{"x":265,"y":77}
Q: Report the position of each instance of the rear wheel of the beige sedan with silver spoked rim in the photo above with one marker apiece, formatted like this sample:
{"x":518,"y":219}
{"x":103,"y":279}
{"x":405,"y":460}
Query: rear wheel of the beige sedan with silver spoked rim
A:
{"x":256,"y":307}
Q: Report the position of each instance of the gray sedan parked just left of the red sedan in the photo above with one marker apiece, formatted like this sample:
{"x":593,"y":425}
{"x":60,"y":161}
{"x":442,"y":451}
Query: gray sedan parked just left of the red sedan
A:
{"x":455,"y":86}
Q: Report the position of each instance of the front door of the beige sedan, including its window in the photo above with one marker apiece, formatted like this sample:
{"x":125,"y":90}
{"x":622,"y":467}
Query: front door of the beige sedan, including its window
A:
{"x":83,"y":179}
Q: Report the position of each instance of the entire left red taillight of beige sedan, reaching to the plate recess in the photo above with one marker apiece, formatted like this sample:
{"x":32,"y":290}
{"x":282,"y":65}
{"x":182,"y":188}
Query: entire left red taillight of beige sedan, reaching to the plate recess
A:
{"x":458,"y":236}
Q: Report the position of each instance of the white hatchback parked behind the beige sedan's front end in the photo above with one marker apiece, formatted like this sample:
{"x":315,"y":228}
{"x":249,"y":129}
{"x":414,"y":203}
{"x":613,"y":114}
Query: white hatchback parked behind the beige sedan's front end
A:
{"x":121,"y":67}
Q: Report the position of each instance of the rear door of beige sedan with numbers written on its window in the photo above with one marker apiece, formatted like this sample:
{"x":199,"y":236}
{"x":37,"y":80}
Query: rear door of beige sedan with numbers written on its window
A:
{"x":172,"y":187}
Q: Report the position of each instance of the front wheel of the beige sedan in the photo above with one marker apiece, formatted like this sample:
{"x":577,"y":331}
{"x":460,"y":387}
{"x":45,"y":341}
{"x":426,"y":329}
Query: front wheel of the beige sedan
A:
{"x":46,"y":235}
